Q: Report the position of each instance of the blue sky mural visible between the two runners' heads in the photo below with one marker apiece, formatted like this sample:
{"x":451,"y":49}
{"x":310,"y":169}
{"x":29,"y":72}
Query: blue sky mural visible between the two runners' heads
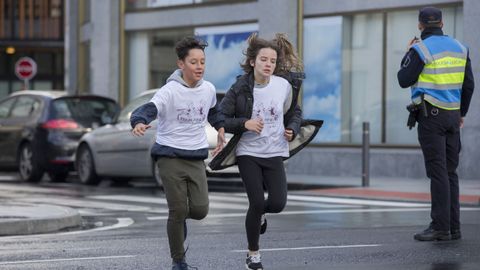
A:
{"x":224,"y":53}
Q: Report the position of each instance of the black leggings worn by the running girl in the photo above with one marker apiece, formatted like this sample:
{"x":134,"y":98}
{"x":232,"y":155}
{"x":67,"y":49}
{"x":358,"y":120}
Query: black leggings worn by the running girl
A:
{"x":257,"y":174}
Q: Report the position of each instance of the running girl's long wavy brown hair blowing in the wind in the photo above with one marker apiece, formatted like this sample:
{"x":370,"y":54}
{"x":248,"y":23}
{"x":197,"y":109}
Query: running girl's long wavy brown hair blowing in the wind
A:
{"x":287,"y":58}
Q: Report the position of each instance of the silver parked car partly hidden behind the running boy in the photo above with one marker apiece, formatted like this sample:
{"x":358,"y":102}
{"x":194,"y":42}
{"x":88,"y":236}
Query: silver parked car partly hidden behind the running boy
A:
{"x":112,"y":151}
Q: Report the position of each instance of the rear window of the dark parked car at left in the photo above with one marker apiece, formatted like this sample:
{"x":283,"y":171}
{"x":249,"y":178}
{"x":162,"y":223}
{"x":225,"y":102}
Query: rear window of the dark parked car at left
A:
{"x":89,"y":112}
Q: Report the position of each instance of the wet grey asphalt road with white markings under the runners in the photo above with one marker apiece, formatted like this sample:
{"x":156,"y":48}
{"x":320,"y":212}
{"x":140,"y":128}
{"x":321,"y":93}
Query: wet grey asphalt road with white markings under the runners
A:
{"x":124,"y":228}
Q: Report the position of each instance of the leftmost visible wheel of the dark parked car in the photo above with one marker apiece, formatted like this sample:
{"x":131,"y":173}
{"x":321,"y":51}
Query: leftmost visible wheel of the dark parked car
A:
{"x":28,"y":166}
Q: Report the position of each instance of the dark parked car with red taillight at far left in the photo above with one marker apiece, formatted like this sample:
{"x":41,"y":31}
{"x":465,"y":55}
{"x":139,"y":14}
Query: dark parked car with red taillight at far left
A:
{"x":40,"y":130}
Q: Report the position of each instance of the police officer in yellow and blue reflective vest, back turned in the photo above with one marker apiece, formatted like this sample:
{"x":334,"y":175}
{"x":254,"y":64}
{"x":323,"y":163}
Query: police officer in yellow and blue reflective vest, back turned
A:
{"x":438,"y":69}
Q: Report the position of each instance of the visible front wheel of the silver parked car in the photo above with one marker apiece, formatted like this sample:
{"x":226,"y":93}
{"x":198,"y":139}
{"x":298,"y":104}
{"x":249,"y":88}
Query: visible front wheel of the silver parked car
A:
{"x":86,"y":167}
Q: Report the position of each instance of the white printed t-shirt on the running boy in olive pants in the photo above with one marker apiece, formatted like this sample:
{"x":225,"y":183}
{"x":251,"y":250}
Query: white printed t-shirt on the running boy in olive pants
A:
{"x":182,"y":114}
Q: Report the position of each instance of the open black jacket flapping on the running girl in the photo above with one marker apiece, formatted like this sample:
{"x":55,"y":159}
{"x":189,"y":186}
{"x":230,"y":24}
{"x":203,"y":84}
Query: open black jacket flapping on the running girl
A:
{"x":236,"y":108}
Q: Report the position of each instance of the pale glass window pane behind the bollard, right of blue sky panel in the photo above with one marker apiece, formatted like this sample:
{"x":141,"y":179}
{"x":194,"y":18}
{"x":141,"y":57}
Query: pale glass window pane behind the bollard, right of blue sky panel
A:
{"x":362,"y":77}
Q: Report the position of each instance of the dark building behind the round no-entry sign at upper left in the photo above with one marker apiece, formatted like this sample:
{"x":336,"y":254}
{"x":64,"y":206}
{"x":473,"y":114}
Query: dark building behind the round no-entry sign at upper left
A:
{"x":34,"y":29}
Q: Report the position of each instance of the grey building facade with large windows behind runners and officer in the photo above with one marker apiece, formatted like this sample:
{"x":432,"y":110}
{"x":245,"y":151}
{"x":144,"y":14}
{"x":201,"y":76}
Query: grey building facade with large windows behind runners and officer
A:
{"x":351,"y":50}
